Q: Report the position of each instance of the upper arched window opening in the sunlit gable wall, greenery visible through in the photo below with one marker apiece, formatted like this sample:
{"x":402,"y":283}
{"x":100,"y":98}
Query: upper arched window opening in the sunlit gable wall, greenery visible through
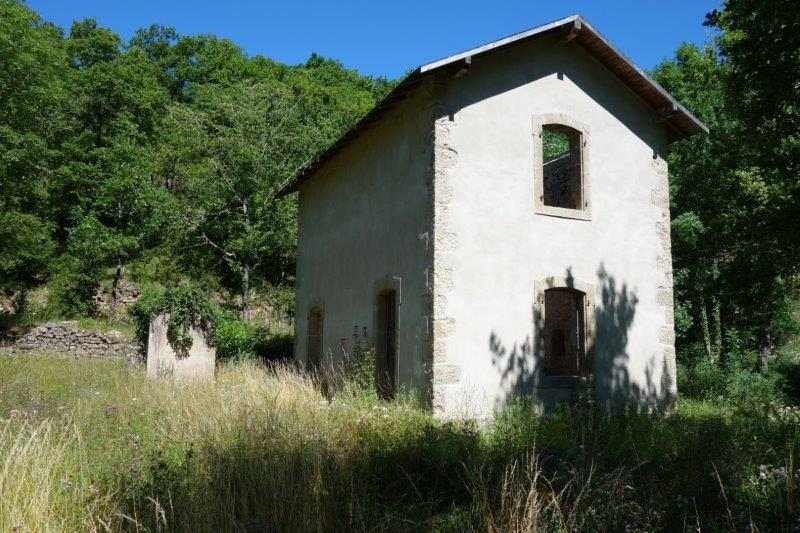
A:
{"x":562,"y":172}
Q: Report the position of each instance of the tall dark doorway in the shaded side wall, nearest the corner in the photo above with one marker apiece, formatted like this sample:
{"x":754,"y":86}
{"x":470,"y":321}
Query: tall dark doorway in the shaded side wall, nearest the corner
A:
{"x":386,"y":345}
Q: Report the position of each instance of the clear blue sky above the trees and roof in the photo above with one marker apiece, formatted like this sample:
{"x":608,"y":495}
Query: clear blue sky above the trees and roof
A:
{"x":389,"y":38}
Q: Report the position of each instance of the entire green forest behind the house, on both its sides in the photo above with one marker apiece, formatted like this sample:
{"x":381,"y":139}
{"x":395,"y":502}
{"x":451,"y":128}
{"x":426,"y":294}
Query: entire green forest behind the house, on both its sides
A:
{"x":157,"y":160}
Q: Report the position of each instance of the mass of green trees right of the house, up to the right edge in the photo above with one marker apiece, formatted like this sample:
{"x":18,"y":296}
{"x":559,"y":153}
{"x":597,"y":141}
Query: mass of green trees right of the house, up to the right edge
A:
{"x":735,"y":192}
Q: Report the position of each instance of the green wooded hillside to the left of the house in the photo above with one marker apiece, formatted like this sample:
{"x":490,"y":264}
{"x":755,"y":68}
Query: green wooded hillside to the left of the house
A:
{"x":164,"y":150}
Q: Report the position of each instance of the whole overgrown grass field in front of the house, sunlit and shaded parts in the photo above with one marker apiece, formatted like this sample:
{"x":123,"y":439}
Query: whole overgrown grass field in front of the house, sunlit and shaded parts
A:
{"x":88,"y":445}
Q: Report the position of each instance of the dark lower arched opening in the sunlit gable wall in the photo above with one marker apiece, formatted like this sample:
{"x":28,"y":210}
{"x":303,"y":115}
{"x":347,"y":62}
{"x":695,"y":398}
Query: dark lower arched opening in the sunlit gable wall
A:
{"x":564,"y":332}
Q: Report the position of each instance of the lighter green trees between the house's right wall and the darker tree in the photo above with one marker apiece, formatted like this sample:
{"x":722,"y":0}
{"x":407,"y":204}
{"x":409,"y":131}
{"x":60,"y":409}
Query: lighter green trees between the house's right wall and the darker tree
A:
{"x":699,"y":211}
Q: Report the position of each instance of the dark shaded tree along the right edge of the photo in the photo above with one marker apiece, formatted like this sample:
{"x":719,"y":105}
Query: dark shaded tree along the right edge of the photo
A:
{"x":760,"y":43}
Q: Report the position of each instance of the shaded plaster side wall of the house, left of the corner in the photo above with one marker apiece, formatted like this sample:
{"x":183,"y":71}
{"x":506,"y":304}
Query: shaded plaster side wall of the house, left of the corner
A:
{"x":365,"y":221}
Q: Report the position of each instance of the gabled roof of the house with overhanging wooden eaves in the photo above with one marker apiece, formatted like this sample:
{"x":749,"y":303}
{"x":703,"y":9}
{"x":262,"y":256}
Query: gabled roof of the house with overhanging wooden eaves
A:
{"x":681,"y":122}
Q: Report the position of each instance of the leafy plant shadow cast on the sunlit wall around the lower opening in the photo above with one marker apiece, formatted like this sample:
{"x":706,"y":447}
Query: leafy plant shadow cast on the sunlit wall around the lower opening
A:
{"x":610,"y":362}
